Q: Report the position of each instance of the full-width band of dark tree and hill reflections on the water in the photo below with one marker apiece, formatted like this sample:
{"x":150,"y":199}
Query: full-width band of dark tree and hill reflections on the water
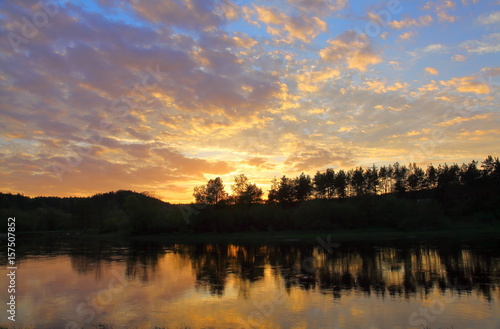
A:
{"x":398,"y":269}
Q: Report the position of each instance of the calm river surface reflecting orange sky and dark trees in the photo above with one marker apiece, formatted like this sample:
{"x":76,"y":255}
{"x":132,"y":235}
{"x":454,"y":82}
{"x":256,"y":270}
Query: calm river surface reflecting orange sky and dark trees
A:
{"x":392,"y":284}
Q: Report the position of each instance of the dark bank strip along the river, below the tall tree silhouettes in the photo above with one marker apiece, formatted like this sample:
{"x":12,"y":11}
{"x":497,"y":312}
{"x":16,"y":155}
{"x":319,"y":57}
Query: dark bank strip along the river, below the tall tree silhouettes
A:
{"x":135,"y":214}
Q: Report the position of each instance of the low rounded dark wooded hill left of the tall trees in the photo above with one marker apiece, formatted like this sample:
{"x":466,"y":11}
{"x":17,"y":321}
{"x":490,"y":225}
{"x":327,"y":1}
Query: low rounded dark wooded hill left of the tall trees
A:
{"x":124,"y":211}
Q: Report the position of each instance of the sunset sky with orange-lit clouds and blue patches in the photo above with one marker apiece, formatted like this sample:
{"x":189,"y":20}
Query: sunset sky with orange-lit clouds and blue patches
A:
{"x":161,"y":96}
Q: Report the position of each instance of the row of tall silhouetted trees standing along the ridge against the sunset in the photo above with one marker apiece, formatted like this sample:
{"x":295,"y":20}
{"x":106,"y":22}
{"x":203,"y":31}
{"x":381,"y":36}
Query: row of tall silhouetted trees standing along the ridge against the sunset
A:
{"x":329,"y":184}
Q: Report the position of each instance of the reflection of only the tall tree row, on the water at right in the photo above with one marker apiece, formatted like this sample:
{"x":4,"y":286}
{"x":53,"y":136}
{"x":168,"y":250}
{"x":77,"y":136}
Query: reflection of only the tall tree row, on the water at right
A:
{"x":367,"y":268}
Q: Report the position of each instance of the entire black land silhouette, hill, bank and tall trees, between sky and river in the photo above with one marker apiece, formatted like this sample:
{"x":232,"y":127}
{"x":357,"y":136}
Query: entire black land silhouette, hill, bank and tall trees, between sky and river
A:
{"x":395,"y":196}
